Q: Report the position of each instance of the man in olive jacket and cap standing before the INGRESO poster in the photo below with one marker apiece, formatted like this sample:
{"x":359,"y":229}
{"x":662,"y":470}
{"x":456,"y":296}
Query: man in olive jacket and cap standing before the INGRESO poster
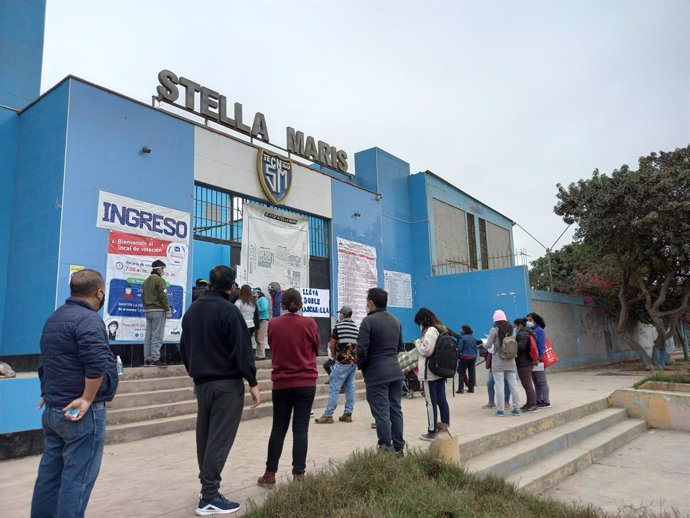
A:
{"x":157,"y":310}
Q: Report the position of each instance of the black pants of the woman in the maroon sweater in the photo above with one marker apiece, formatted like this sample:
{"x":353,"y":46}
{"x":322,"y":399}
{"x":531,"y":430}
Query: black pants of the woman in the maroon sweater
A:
{"x":286,"y":402}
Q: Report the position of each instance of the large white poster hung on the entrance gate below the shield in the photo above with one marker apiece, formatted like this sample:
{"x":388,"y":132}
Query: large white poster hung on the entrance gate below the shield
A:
{"x":275,"y":247}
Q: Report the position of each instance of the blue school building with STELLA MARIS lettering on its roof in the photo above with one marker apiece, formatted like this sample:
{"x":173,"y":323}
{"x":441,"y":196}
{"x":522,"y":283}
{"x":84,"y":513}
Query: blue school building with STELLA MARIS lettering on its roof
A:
{"x":193,"y":151}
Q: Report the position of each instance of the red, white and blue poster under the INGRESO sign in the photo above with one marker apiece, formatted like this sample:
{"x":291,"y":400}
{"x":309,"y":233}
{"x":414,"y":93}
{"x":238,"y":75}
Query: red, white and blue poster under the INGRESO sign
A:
{"x":129,"y":264}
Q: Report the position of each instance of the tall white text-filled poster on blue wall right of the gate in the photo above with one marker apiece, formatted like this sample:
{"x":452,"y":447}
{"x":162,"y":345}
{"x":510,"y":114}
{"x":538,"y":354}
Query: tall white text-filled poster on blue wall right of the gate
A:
{"x":357,"y":273}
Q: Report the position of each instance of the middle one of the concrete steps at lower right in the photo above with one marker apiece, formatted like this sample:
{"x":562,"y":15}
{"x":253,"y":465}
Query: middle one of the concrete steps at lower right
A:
{"x":508,"y":459}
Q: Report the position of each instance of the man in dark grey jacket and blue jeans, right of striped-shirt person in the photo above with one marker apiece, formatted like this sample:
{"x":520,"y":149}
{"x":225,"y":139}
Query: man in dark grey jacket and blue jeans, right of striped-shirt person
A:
{"x":378,"y":344}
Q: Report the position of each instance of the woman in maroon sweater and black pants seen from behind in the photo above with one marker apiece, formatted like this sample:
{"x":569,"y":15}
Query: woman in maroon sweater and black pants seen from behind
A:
{"x":295,"y":343}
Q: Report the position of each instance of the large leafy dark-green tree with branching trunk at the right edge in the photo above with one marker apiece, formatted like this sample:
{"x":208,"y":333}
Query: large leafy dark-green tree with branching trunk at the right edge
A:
{"x":639,"y":222}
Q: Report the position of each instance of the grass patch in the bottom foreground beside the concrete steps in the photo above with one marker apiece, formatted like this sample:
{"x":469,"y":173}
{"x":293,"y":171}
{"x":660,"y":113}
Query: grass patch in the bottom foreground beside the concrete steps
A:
{"x":377,"y":485}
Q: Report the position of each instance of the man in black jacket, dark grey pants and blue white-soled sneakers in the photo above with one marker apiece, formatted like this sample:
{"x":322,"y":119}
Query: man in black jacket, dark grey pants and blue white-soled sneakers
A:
{"x":217,"y":352}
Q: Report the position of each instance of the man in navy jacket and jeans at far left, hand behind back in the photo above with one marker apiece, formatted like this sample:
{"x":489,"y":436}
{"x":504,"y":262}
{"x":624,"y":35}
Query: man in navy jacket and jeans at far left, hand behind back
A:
{"x":78,"y":375}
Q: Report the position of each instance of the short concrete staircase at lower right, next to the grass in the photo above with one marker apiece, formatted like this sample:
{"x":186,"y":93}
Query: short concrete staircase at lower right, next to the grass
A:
{"x":537,"y":455}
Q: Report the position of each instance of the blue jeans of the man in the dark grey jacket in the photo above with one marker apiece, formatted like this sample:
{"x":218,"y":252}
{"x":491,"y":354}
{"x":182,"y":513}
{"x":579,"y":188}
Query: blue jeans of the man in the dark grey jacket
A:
{"x":384,"y":402}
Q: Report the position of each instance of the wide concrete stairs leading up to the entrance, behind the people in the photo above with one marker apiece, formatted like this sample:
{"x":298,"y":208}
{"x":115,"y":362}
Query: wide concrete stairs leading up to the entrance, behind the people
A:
{"x":156,"y":401}
